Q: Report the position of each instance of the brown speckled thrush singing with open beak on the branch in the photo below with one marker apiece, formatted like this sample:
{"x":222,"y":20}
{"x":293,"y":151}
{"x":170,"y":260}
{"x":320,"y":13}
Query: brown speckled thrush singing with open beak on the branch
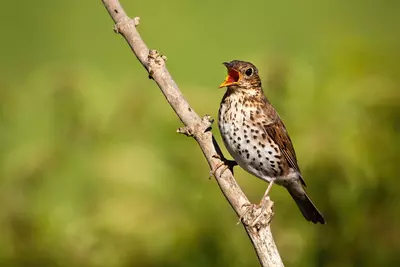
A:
{"x":256,"y":137}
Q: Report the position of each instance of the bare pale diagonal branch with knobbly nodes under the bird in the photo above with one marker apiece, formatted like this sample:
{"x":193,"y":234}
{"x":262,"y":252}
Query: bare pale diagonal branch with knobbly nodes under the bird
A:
{"x":256,"y":220}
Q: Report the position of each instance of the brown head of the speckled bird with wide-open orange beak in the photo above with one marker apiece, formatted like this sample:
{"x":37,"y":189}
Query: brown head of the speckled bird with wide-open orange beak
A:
{"x":241,"y":74}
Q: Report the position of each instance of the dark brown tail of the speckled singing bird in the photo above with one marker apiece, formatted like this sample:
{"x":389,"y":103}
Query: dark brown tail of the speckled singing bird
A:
{"x":310,"y":212}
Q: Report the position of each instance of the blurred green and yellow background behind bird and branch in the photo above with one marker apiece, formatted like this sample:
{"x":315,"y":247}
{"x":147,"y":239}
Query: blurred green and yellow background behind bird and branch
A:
{"x":92,"y":172}
